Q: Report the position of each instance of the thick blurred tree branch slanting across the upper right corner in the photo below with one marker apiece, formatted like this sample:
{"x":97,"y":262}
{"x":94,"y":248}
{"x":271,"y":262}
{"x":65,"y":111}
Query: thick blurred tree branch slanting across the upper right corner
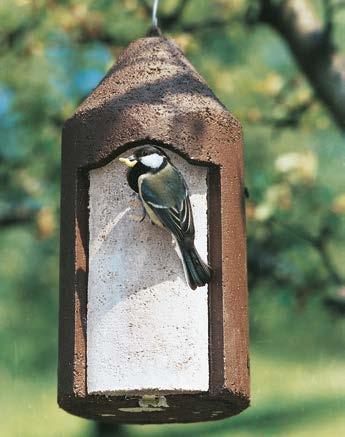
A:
{"x":310,"y":43}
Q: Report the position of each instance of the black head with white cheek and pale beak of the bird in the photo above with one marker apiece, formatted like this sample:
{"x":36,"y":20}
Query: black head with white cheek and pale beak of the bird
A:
{"x":147,"y":157}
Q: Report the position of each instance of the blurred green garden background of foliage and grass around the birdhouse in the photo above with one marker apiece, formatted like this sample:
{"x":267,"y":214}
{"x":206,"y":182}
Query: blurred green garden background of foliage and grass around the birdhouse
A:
{"x":279,"y":67}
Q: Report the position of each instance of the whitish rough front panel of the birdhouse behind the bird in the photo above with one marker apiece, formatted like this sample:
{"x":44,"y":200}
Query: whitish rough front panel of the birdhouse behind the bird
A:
{"x":146,"y":329}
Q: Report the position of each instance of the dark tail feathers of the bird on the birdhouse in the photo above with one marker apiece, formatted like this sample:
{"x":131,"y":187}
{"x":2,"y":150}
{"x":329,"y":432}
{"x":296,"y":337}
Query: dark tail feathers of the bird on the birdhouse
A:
{"x":198,"y":273}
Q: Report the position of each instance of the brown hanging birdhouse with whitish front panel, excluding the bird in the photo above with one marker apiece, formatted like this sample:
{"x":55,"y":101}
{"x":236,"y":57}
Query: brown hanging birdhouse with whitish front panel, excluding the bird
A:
{"x":136,"y":343}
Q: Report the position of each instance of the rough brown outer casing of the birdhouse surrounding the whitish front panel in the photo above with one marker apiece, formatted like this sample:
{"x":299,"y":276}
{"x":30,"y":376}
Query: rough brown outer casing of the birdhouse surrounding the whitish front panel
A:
{"x":204,"y":134}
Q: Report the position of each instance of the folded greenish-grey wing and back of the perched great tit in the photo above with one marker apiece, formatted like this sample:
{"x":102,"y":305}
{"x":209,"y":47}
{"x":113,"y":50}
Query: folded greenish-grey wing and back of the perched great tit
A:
{"x":170,"y":202}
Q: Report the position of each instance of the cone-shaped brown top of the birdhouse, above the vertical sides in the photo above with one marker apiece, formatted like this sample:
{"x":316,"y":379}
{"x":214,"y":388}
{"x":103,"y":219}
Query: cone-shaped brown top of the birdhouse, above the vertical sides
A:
{"x":151,"y":70}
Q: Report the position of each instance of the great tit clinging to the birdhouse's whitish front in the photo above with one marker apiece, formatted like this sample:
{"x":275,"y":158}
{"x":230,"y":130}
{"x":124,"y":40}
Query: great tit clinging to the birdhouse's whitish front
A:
{"x":164,"y":195}
